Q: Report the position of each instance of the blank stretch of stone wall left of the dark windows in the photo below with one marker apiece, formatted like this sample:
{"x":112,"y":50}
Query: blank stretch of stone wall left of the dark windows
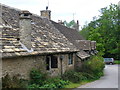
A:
{"x":21,"y":66}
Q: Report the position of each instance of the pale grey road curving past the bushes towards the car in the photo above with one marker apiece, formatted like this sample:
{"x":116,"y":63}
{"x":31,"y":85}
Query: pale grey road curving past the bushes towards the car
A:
{"x":109,"y":80}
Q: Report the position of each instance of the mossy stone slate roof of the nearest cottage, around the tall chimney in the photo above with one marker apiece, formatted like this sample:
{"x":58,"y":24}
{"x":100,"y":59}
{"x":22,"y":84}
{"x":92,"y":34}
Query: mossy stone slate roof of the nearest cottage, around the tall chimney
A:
{"x":45,"y":37}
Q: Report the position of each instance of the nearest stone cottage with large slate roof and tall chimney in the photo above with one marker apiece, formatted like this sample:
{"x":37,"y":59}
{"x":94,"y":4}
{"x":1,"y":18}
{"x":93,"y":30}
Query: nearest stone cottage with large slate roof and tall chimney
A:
{"x":30,"y":41}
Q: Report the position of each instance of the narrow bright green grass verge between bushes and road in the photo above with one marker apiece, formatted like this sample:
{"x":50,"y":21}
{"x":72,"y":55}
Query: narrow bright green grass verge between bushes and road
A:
{"x":75,"y":85}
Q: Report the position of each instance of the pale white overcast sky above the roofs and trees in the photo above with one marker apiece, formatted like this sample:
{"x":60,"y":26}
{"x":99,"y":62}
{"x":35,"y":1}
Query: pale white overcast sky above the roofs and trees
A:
{"x":82,"y":10}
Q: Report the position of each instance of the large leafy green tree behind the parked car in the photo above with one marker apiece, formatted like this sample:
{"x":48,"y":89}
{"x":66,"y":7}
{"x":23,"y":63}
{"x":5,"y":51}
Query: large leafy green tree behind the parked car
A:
{"x":105,"y":31}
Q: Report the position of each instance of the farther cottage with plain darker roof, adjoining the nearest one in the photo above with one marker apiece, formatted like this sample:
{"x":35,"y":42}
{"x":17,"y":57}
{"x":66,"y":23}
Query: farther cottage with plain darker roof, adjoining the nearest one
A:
{"x":85,"y":47}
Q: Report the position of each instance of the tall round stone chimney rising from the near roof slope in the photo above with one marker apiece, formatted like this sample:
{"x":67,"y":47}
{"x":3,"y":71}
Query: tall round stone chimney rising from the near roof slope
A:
{"x":25,"y":29}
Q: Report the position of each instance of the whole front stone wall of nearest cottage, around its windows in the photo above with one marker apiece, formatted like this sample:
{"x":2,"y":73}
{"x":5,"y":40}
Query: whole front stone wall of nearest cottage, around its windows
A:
{"x":21,"y":66}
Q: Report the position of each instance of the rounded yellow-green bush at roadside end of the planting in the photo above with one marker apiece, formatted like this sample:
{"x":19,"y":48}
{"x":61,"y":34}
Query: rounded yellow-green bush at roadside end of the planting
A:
{"x":94,"y":66}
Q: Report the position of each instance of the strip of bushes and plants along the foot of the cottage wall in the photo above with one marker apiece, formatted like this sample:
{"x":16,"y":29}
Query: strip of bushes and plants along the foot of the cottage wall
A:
{"x":90,"y":70}
